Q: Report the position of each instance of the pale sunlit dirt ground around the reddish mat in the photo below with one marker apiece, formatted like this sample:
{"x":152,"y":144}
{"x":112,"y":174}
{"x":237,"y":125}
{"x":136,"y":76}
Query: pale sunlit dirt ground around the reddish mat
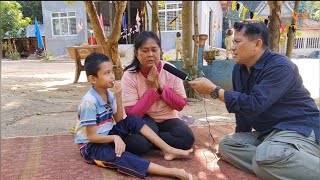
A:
{"x":40,"y":98}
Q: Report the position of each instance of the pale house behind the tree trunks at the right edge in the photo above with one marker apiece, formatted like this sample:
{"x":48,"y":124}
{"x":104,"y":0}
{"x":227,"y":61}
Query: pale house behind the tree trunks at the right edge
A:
{"x":308,"y":42}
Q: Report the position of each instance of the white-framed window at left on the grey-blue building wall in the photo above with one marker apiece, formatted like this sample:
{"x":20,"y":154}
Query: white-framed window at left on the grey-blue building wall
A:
{"x":64,"y":23}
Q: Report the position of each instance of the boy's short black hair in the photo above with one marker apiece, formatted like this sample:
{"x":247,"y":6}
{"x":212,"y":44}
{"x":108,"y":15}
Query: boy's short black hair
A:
{"x":93,"y":61}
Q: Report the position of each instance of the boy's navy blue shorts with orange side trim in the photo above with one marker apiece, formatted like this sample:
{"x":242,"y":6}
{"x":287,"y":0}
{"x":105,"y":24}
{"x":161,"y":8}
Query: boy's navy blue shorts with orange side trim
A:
{"x":104,"y":154}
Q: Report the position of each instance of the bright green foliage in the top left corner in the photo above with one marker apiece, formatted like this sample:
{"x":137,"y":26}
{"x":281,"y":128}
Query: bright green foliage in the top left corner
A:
{"x":12,"y":20}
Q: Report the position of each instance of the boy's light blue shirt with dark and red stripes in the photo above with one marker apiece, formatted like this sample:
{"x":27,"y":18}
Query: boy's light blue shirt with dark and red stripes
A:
{"x":94,"y":111}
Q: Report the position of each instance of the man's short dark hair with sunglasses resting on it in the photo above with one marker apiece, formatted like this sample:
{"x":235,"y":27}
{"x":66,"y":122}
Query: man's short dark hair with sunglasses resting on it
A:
{"x":253,"y":29}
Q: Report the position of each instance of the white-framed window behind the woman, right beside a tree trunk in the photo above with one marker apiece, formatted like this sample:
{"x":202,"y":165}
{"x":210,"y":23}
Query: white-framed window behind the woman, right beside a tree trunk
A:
{"x":170,"y":17}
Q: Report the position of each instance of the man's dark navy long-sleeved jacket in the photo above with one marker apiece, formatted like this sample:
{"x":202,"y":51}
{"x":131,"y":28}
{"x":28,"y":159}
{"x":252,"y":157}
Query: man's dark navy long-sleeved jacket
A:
{"x":272,"y":96}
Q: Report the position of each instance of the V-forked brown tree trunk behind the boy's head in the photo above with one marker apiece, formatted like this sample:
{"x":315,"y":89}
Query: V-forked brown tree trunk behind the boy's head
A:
{"x":110,"y":46}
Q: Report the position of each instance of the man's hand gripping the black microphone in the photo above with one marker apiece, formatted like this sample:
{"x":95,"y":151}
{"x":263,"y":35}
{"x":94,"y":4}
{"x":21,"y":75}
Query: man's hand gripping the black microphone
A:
{"x":202,"y":85}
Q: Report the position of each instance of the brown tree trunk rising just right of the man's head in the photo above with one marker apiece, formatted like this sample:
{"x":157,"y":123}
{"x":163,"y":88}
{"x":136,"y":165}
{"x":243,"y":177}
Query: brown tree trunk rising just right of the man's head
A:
{"x":274,"y":24}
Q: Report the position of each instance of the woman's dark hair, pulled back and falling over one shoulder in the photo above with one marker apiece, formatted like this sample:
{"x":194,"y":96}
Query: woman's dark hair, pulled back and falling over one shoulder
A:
{"x":139,"y":41}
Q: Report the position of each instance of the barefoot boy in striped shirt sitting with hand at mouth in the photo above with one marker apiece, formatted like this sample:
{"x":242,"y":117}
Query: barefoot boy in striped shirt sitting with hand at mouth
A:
{"x":100,"y":141}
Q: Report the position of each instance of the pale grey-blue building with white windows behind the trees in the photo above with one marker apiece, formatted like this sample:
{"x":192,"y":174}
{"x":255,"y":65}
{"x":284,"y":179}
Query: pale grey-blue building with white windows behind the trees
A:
{"x":68,"y":25}
